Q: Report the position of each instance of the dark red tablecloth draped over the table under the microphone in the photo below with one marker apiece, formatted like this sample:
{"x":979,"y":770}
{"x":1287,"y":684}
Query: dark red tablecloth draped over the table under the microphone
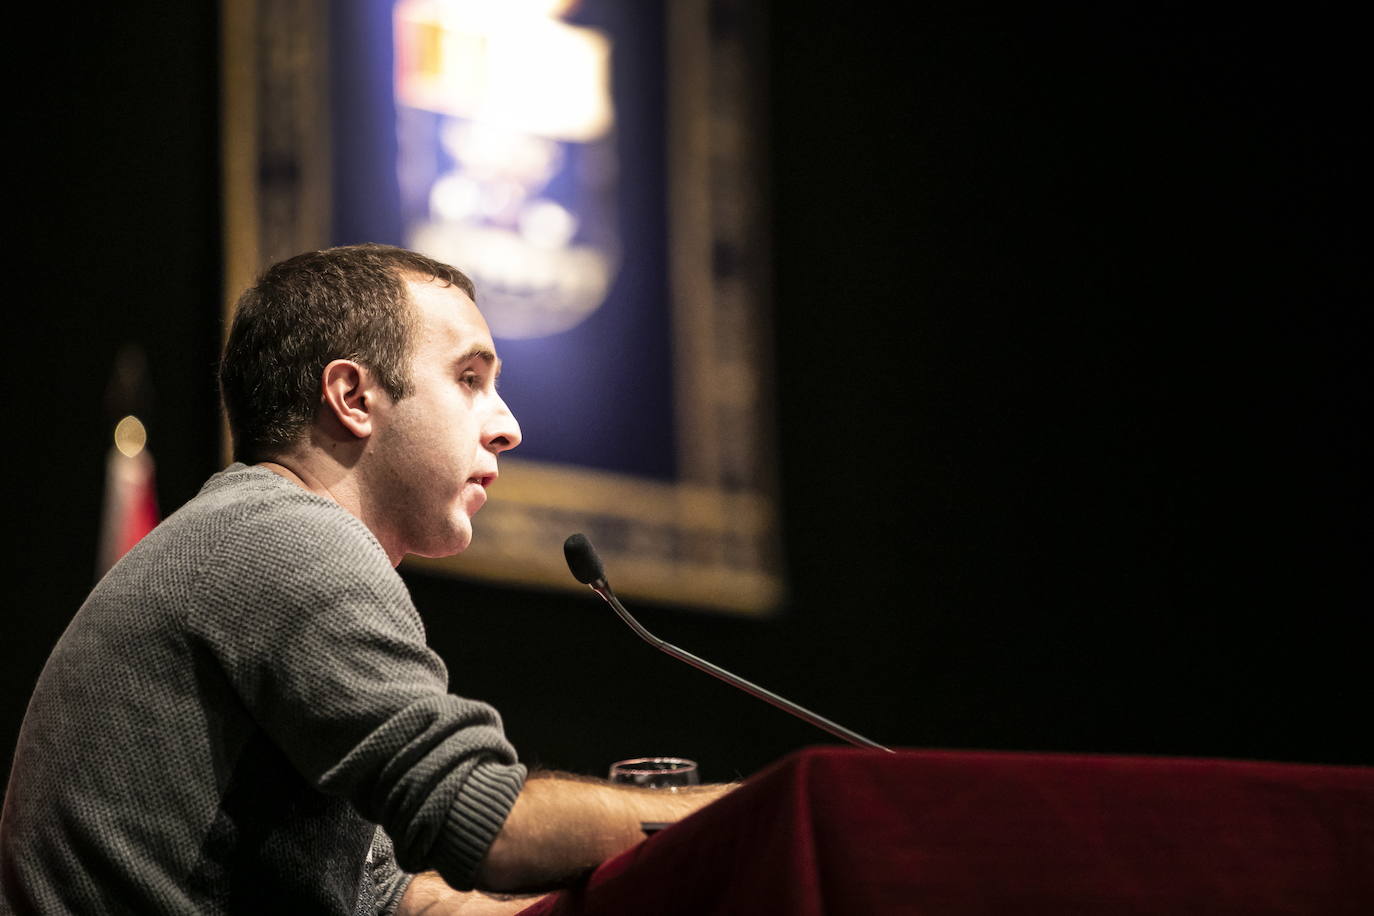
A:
{"x":851,"y":832}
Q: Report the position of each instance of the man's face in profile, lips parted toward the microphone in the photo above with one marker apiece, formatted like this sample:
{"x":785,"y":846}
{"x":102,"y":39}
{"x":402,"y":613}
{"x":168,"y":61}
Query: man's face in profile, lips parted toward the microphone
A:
{"x":435,"y":451}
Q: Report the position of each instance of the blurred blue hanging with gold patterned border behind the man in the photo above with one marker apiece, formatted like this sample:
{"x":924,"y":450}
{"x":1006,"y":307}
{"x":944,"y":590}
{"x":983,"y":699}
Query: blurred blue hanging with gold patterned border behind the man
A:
{"x":597,"y":170}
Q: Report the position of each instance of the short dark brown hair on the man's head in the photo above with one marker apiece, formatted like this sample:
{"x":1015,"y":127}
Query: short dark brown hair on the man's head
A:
{"x":337,"y":304}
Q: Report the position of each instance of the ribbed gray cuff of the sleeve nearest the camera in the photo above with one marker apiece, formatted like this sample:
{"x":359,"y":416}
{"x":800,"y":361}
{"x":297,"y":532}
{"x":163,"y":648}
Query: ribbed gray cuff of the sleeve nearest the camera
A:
{"x":475,"y":821}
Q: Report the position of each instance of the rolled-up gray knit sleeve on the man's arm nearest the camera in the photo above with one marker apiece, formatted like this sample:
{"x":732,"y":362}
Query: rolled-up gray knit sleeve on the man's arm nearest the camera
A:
{"x":318,"y":637}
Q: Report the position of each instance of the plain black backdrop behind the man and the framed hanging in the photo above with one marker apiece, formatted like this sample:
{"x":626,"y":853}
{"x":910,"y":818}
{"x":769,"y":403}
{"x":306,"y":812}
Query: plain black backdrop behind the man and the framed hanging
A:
{"x":1071,"y":365}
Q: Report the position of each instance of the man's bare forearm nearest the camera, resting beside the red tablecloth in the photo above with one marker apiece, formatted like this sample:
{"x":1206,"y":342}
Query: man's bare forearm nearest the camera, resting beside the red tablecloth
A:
{"x":565,"y":825}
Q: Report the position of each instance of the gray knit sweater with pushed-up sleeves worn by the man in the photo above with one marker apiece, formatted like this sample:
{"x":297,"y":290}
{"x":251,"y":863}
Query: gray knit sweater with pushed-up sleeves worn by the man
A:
{"x":230,"y":713}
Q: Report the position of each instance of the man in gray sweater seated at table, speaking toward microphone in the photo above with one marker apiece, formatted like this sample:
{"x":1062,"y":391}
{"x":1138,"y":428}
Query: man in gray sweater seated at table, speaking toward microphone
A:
{"x":249,"y":691}
